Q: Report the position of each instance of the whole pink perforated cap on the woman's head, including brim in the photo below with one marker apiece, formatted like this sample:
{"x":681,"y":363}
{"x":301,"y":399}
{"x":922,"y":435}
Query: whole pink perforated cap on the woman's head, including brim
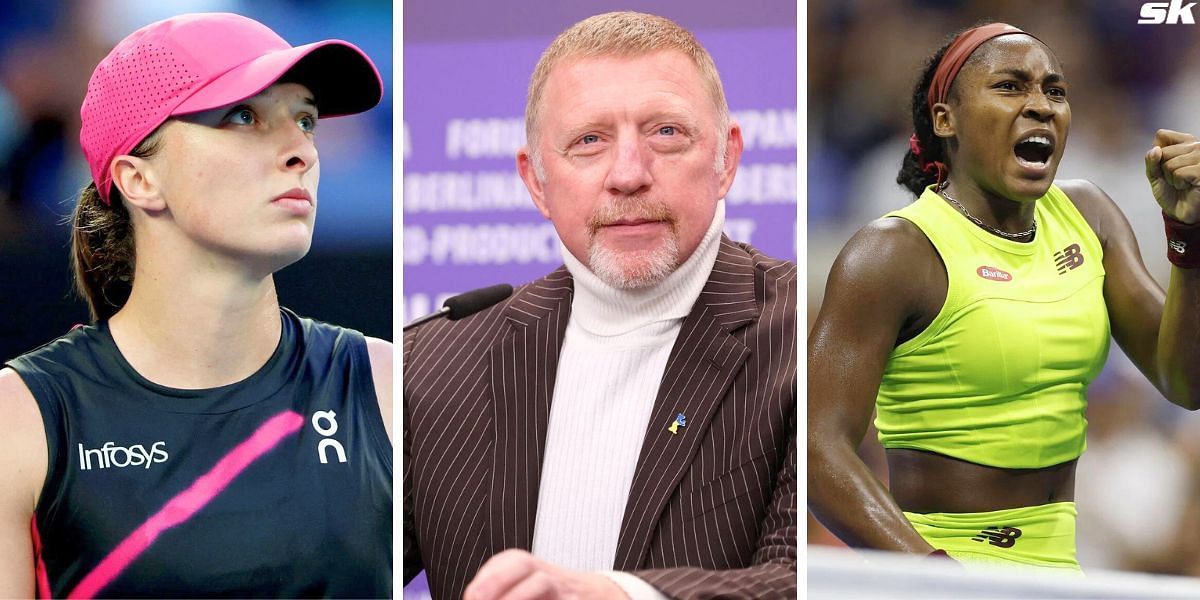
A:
{"x":201,"y":62}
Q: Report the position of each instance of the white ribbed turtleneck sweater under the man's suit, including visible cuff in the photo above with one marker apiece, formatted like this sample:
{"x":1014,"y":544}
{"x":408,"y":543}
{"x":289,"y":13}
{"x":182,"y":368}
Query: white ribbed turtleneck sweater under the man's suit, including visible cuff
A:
{"x":613,"y":362}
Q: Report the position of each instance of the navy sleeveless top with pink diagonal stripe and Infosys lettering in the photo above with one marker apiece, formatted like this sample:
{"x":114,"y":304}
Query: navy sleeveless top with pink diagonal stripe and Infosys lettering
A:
{"x":279,"y":485}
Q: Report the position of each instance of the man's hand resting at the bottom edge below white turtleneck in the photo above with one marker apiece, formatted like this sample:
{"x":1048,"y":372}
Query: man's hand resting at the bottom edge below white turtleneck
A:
{"x":519,"y":575}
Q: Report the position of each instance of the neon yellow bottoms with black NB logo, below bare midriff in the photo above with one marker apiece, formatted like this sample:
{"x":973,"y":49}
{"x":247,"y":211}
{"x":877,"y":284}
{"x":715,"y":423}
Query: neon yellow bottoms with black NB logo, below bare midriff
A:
{"x":1034,"y":536}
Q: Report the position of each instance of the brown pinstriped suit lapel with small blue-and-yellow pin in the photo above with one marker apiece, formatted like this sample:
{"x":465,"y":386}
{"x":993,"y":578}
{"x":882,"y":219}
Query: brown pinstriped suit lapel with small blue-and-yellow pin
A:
{"x":703,"y":364}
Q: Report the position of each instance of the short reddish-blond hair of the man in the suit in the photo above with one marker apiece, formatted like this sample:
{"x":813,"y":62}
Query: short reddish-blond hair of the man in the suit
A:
{"x":622,"y":34}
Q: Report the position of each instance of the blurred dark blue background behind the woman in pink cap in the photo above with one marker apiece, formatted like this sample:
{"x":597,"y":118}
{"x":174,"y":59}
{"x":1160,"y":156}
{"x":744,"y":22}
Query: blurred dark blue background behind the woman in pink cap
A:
{"x":47,"y":53}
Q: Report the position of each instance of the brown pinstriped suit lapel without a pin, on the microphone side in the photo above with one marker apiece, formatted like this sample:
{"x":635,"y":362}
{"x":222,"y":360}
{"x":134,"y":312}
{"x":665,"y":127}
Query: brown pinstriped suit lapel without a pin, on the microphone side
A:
{"x":523,"y":368}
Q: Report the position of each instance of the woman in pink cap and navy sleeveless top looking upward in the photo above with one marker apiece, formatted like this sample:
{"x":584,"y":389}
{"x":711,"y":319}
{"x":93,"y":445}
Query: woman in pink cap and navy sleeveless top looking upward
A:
{"x":199,"y":440}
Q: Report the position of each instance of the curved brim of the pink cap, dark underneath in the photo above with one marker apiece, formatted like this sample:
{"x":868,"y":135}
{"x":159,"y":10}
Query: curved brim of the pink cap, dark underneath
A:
{"x":343,"y":79}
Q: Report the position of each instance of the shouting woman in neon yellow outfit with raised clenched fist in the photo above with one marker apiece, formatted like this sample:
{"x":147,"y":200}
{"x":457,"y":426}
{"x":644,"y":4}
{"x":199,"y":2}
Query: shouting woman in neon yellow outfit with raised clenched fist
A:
{"x":975,"y":319}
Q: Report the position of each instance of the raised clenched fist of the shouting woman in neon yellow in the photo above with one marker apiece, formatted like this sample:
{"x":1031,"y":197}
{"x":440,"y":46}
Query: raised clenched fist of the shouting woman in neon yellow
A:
{"x":1173,"y":169}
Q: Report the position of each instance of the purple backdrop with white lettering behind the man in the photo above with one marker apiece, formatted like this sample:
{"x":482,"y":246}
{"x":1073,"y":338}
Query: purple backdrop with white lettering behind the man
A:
{"x":469,"y":219}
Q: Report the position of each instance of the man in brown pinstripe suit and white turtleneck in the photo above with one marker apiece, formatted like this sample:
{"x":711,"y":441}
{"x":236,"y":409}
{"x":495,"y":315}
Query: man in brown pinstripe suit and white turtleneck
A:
{"x":625,"y":427}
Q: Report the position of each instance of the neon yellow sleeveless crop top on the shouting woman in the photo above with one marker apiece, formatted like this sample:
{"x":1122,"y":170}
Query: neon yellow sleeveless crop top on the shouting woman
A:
{"x":1000,"y":377}
